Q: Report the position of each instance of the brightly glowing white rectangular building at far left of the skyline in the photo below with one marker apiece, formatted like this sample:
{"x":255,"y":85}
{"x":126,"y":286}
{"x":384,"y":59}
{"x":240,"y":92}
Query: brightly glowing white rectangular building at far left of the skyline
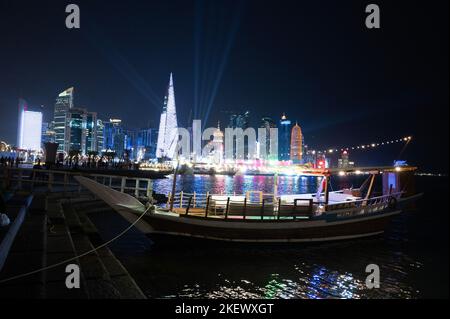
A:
{"x":29,"y":132}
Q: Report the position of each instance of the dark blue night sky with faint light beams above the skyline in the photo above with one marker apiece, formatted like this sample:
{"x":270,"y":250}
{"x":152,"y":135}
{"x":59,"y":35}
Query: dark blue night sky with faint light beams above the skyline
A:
{"x":314,"y":60}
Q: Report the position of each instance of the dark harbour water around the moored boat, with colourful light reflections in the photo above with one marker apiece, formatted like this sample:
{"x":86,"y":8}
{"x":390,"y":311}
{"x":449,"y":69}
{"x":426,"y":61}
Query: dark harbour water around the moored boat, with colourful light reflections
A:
{"x":412,"y":254}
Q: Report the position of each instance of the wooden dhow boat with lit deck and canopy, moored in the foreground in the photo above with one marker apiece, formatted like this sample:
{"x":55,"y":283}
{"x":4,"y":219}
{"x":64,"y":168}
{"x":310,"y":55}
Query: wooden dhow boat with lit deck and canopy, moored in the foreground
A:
{"x":323,"y":216}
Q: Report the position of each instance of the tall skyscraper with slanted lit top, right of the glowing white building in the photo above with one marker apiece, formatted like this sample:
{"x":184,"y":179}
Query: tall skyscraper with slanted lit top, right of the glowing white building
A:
{"x":64,"y":102}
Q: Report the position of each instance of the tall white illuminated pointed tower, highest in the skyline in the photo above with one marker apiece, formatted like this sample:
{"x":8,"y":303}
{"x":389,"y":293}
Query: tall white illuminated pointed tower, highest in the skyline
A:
{"x":168,"y":126}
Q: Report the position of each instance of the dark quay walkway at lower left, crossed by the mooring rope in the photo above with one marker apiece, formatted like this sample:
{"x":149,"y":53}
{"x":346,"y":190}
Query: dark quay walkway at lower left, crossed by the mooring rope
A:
{"x":56,"y":228}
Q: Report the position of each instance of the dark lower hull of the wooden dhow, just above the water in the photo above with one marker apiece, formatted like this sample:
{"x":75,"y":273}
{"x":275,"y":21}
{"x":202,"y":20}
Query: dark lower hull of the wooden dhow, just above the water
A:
{"x":315,"y":230}
